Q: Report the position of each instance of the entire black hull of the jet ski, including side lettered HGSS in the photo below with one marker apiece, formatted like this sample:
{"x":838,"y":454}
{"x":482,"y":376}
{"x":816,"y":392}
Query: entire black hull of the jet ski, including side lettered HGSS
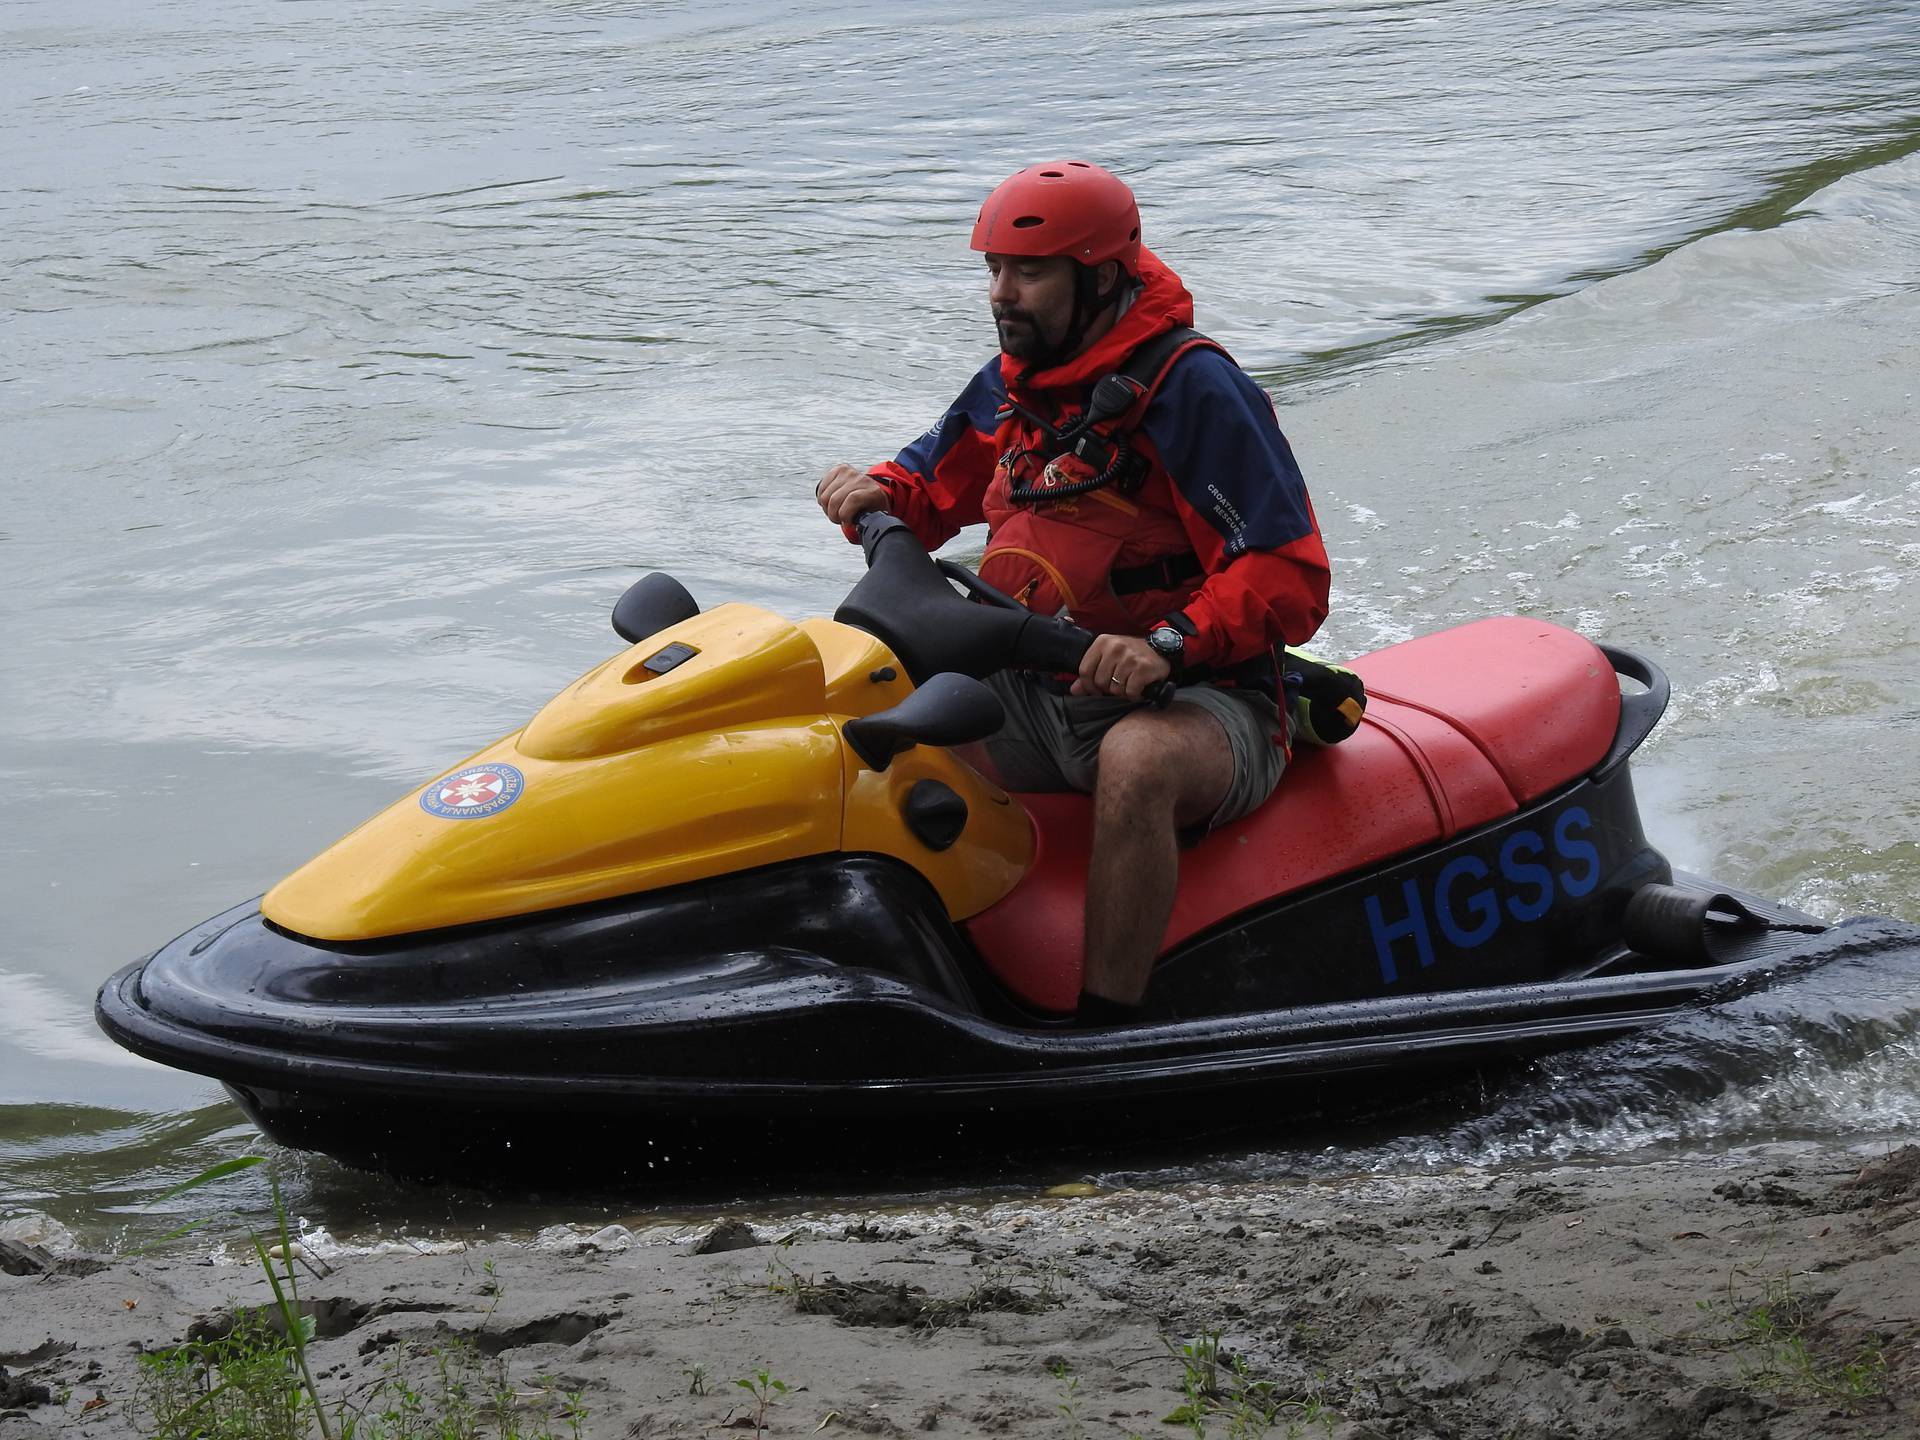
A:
{"x":832,"y":996}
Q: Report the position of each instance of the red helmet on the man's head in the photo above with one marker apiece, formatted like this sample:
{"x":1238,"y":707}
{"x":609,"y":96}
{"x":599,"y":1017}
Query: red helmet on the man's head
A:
{"x":1063,"y":208}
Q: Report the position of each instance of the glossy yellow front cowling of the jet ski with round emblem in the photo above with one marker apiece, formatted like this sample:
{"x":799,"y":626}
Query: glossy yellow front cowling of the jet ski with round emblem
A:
{"x":636,"y":779}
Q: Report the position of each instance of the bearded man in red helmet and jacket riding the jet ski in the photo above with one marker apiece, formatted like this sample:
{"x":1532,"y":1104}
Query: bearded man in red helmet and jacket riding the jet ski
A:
{"x":1178,"y":529}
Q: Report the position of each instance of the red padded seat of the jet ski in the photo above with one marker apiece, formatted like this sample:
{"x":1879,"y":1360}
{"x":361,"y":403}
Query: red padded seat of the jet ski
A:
{"x":1462,"y":729}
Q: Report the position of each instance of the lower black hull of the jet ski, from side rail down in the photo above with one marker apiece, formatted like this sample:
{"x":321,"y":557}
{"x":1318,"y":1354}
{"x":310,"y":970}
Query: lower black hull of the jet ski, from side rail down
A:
{"x":1155,"y":1082}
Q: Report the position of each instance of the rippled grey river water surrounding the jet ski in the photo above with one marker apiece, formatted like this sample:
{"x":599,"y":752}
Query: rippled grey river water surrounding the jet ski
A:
{"x":358,"y":354}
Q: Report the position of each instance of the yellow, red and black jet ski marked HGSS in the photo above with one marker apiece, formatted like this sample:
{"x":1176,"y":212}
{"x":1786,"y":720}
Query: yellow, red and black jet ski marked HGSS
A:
{"x":740,"y":875}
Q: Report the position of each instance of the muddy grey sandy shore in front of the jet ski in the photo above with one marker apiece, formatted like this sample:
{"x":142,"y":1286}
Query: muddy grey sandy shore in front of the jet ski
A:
{"x":1771,"y":1295}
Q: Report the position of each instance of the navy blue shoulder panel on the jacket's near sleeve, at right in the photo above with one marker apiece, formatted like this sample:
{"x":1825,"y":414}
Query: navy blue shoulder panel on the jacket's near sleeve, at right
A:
{"x":1224,"y":448}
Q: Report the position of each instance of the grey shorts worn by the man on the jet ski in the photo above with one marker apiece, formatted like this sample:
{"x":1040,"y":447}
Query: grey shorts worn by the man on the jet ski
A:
{"x":1053,"y":742}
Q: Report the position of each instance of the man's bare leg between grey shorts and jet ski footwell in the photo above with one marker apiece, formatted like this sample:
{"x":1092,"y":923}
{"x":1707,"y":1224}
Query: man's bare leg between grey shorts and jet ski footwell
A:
{"x":1159,"y":771}
